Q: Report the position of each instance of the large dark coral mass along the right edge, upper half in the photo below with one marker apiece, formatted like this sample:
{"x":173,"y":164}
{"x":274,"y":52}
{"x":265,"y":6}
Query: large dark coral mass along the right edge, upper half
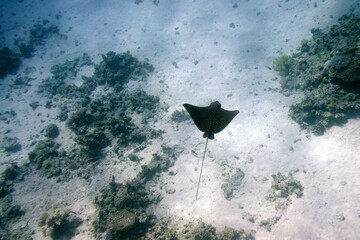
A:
{"x":327,"y":69}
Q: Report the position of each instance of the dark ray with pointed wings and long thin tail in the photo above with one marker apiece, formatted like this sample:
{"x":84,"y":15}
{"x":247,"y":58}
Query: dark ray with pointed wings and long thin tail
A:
{"x":210,"y":120}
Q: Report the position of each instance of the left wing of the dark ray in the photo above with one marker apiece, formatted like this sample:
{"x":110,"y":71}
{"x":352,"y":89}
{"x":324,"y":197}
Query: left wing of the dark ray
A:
{"x":200,"y":116}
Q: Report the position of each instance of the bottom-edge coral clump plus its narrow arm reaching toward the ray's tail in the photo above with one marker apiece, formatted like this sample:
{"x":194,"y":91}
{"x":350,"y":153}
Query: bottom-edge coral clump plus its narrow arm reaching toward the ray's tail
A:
{"x":119,"y":203}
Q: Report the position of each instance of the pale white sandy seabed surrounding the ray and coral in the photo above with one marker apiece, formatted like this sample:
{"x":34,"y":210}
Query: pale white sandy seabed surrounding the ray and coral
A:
{"x":231,"y":69}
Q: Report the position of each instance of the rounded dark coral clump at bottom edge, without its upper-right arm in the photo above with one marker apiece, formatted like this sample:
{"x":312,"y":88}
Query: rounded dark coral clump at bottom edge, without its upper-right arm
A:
{"x":121,"y":203}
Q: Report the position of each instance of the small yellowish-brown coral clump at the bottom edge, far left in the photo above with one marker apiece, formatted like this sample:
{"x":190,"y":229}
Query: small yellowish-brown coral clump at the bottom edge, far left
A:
{"x":60,"y":223}
